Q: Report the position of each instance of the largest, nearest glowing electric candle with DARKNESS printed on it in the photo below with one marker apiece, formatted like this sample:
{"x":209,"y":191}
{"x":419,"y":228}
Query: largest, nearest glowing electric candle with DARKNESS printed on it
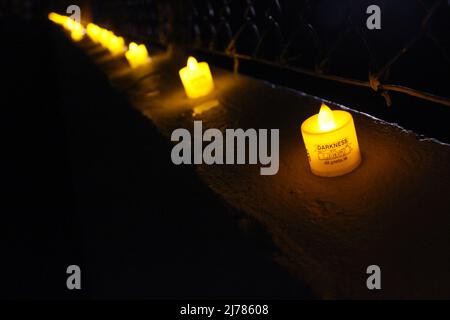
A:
{"x":331,"y":142}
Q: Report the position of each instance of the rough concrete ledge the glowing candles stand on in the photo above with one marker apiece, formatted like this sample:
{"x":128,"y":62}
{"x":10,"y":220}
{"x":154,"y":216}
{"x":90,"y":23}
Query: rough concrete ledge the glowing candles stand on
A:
{"x":393,"y":211}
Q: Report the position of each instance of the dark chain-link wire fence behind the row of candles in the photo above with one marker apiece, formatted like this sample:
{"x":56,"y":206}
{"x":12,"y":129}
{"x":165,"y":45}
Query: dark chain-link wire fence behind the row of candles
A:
{"x":323,"y":38}
